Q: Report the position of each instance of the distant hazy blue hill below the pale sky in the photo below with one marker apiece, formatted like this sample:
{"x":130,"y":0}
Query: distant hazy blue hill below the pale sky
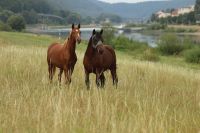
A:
{"x":131,"y":11}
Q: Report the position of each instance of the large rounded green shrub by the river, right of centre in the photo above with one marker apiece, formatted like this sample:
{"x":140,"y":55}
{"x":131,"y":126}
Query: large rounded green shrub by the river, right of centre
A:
{"x":170,"y":45}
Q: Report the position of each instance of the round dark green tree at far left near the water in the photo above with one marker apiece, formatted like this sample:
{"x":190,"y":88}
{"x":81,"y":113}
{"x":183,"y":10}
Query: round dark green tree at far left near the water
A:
{"x":16,"y":22}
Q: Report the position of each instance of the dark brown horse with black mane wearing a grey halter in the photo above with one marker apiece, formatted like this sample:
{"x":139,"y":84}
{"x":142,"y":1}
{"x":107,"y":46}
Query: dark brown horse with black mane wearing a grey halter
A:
{"x":99,"y":58}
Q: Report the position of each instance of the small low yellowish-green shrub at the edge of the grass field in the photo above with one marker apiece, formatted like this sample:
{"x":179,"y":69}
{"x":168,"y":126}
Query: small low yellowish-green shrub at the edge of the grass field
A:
{"x":150,"y":55}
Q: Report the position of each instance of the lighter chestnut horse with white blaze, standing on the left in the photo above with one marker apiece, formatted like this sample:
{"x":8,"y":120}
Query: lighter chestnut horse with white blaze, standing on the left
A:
{"x":64,"y":56}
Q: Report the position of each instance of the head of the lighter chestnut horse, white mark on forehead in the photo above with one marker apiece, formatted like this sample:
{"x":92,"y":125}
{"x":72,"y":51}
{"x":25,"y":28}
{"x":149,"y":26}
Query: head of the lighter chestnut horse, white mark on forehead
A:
{"x":76,"y":33}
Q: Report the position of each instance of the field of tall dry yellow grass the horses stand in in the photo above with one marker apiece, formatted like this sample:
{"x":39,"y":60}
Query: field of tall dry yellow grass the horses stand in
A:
{"x":151,"y":97}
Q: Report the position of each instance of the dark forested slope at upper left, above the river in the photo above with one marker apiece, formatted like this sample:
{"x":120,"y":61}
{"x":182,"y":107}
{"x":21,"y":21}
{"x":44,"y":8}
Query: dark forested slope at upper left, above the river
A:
{"x":42,"y":11}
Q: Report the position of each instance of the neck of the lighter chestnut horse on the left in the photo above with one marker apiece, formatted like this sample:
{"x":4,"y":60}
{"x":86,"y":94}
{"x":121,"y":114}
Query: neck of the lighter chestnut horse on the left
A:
{"x":70,"y":45}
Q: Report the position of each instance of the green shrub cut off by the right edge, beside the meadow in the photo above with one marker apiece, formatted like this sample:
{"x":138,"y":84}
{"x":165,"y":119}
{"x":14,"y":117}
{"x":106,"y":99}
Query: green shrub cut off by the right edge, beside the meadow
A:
{"x":193,"y":56}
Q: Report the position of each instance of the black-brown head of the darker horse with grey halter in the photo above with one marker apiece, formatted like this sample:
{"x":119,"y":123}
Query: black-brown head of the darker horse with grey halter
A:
{"x":97,"y":40}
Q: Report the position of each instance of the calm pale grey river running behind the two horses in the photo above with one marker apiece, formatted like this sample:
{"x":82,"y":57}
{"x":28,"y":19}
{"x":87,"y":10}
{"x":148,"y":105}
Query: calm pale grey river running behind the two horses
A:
{"x":150,"y":39}
